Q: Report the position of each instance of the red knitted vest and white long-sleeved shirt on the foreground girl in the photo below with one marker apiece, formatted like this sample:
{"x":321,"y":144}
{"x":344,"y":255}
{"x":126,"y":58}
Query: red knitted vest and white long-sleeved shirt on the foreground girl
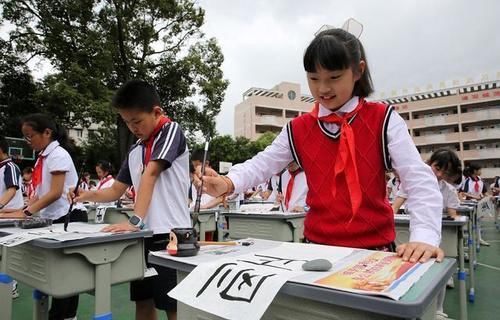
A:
{"x":382,"y":142}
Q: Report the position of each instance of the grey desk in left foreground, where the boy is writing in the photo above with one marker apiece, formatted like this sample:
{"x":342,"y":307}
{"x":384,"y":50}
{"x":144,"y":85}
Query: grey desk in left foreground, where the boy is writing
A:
{"x":63,"y":269}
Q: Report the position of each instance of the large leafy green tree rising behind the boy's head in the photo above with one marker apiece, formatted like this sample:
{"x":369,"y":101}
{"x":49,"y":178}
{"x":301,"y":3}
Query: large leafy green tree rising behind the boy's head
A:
{"x":97,"y":45}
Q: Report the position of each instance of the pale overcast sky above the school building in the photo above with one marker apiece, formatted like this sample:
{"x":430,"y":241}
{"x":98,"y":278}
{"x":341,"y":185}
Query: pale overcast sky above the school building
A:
{"x":410,"y":44}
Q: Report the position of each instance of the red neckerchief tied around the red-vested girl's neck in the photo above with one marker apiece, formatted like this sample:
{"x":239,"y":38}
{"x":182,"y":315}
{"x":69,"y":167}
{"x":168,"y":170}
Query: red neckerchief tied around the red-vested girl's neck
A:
{"x":346,"y":157}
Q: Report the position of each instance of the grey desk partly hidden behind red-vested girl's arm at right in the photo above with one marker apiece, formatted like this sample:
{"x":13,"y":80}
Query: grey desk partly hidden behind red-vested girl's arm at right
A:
{"x":452,"y":243}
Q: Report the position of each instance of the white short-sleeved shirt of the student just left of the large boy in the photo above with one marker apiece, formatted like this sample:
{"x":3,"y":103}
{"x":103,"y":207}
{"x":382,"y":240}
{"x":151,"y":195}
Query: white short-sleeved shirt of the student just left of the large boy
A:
{"x":56,"y":159}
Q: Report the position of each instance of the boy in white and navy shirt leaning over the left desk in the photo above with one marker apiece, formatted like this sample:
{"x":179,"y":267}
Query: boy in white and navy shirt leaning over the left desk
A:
{"x":158,"y":168}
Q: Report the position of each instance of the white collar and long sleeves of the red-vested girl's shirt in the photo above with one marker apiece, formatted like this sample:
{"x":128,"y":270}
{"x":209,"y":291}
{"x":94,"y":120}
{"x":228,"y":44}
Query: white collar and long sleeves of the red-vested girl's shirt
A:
{"x":424,"y":196}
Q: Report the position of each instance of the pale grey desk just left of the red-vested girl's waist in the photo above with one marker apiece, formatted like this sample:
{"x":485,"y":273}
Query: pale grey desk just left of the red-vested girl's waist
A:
{"x":270,"y":226}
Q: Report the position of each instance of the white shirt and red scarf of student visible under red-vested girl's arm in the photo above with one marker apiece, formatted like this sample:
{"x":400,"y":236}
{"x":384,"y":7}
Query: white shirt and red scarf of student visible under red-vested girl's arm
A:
{"x":294,"y":189}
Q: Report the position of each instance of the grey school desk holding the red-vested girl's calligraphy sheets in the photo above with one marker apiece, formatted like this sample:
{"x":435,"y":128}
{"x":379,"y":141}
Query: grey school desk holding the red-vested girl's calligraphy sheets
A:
{"x":297,"y":301}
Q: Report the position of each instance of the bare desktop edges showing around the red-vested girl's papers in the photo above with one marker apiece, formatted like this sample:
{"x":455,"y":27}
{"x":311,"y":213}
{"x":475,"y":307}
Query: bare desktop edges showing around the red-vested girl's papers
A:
{"x":411,"y":305}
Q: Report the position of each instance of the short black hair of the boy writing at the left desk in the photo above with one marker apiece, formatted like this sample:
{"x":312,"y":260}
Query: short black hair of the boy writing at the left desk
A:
{"x":136,"y":94}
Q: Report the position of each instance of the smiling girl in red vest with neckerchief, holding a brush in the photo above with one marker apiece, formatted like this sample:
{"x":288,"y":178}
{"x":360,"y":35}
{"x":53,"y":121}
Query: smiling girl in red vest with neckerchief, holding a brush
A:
{"x":345,"y":145}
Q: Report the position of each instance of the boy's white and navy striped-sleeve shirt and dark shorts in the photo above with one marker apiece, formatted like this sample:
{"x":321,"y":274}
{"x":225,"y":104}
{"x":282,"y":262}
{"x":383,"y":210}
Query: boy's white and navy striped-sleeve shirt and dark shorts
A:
{"x":167,"y":208}
